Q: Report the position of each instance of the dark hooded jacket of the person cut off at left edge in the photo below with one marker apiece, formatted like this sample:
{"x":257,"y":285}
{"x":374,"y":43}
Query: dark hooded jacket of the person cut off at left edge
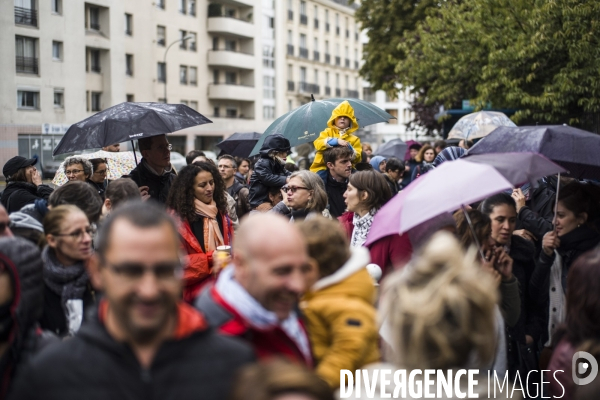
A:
{"x":24,"y":265}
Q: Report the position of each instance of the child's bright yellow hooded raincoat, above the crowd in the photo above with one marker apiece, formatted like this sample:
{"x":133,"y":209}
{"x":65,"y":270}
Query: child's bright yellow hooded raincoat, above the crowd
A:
{"x":344,"y":109}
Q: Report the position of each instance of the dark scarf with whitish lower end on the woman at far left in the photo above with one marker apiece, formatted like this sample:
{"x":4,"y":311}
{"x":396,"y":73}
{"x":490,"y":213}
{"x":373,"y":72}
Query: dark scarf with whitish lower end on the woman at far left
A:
{"x":70,"y":283}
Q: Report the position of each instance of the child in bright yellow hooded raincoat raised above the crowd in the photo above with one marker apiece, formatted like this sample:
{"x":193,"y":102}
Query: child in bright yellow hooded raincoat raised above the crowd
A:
{"x":339,"y":131}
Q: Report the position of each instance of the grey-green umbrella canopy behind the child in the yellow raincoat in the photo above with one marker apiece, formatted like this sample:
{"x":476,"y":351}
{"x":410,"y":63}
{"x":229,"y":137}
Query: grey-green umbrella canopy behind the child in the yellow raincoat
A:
{"x":304,"y":124}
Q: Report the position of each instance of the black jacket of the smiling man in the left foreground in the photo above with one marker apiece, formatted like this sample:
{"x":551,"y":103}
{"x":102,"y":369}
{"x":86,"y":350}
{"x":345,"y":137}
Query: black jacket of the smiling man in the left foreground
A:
{"x":93,"y":366}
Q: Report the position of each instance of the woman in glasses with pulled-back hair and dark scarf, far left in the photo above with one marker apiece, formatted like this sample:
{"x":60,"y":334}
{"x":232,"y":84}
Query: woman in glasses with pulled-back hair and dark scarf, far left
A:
{"x":67,"y":289}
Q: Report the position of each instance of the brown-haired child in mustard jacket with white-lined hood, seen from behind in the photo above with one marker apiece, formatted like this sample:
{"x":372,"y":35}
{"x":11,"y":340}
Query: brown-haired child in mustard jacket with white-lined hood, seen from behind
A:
{"x":338,"y":305}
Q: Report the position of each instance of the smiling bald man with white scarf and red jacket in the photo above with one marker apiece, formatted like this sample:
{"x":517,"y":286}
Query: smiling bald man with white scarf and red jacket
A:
{"x":256,"y":296}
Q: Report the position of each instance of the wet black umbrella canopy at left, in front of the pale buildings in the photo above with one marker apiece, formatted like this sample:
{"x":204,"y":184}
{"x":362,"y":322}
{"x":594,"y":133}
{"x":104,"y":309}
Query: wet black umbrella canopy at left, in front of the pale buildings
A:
{"x":128,"y":121}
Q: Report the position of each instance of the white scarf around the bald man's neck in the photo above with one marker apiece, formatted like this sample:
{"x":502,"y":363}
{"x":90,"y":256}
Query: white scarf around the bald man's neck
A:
{"x":253,"y":312}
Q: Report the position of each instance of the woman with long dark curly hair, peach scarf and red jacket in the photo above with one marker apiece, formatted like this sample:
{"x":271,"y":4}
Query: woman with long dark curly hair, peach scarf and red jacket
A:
{"x":197,"y":198}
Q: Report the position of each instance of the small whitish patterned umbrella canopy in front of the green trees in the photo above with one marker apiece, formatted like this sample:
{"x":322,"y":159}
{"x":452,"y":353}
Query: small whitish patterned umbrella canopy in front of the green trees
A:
{"x":479,"y":124}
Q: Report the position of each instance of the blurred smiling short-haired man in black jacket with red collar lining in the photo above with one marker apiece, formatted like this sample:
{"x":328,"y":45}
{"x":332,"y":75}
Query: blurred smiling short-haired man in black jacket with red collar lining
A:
{"x":144,"y":342}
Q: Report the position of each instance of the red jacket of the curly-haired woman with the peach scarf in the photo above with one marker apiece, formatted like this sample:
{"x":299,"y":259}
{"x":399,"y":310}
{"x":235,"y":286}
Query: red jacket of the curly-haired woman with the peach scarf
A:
{"x":199,"y":264}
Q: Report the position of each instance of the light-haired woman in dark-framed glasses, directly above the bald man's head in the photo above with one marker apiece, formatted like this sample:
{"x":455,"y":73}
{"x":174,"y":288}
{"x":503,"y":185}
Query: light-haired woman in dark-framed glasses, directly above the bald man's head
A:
{"x":303,"y":196}
